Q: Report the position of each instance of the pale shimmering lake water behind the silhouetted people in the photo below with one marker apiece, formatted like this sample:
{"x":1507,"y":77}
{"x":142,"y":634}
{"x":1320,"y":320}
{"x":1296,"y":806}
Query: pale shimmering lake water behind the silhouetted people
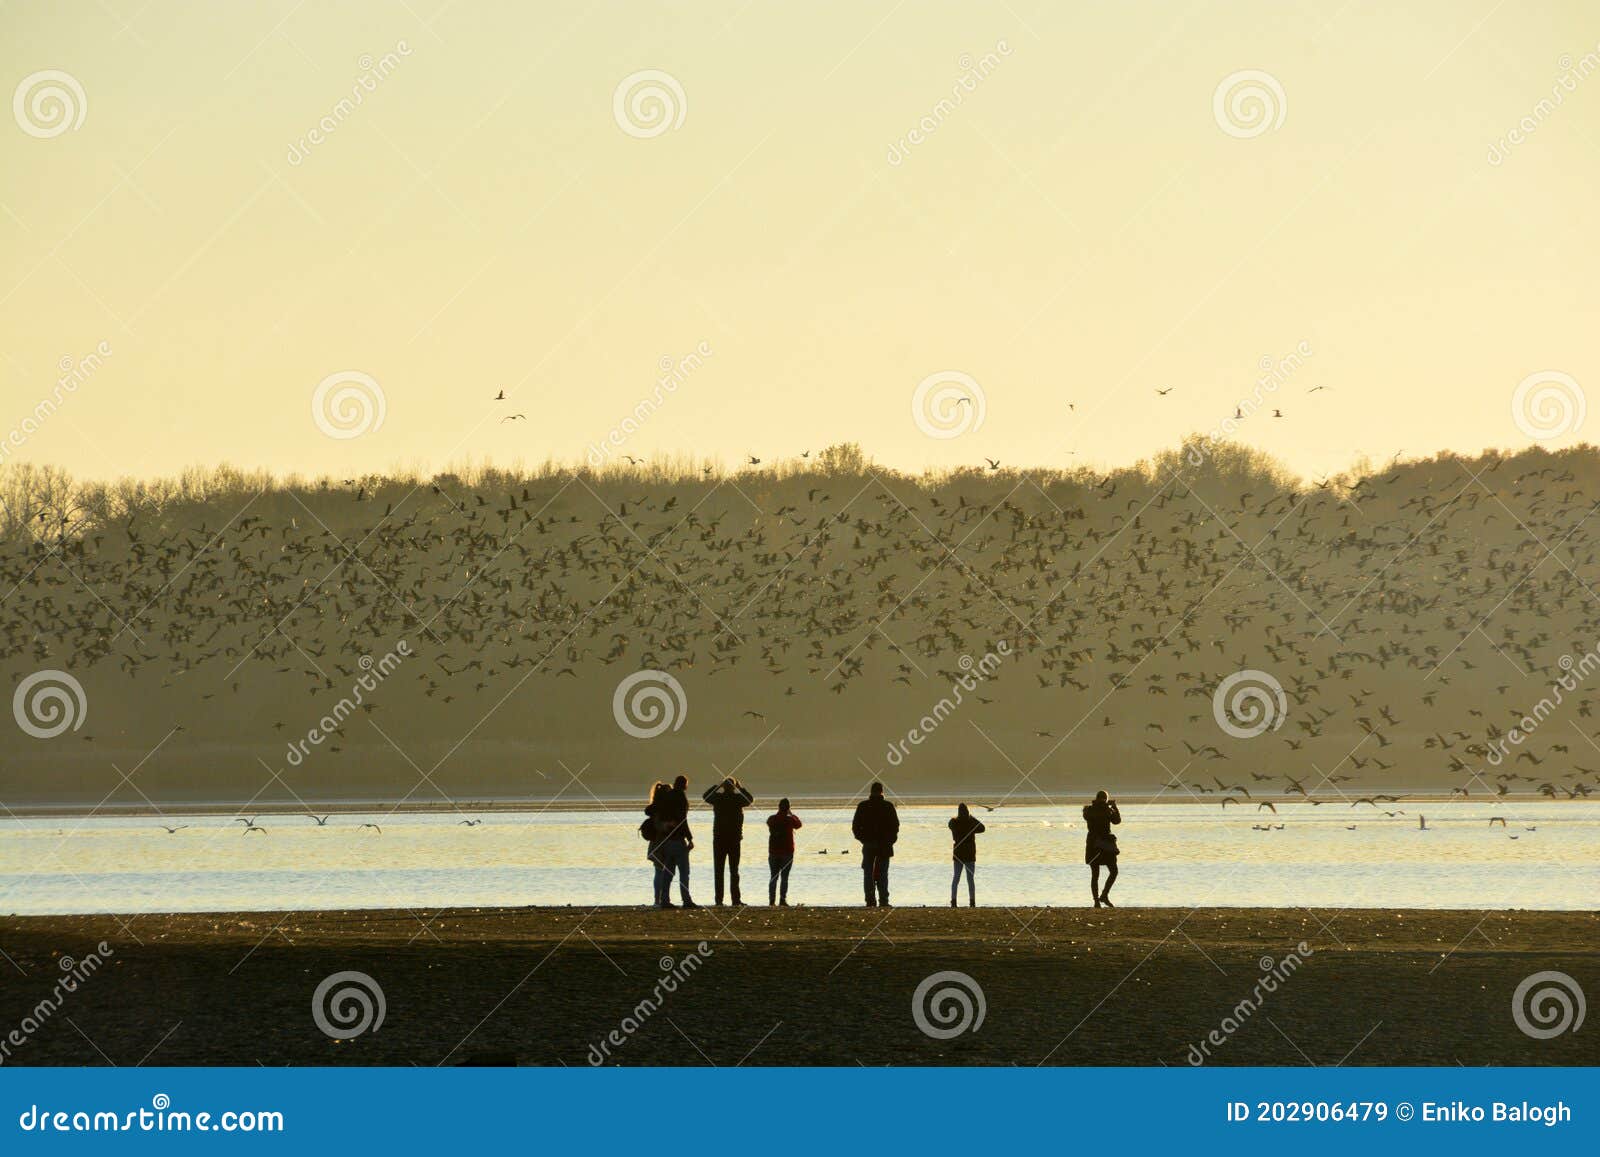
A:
{"x":1546,"y":857}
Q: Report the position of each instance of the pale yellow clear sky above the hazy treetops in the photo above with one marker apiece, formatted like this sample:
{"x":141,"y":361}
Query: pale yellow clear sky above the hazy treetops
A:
{"x":1046,"y":212}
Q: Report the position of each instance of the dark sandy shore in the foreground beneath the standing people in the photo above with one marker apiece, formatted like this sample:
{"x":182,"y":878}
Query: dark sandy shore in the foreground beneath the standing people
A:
{"x":798,"y":987}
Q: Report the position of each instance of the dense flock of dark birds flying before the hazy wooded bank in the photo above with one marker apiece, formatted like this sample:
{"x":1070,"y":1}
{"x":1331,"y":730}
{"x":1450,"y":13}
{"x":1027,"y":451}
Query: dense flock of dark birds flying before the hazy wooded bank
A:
{"x":1414,"y":617}
